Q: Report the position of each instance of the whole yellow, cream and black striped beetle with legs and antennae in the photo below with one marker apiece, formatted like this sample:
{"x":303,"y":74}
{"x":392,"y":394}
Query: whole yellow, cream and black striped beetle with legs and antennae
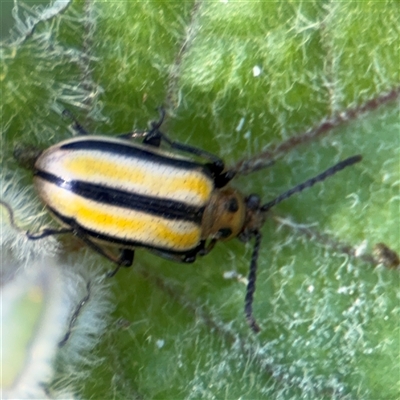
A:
{"x":114,"y":192}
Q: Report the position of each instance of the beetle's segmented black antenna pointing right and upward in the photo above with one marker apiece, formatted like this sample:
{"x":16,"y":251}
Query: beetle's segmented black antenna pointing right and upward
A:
{"x":311,"y":182}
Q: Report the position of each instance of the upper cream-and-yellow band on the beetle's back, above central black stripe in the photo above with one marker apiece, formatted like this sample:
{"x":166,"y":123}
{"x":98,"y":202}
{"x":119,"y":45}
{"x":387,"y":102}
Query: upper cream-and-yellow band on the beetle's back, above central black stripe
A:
{"x":131,"y":174}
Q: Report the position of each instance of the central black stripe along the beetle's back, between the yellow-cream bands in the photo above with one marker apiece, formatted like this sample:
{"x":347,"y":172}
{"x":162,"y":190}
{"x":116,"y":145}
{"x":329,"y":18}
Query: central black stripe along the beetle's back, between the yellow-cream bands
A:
{"x":169,"y":209}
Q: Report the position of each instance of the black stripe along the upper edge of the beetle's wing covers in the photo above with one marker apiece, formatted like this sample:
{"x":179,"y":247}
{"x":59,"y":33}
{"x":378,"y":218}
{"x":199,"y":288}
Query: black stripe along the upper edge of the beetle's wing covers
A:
{"x":131,"y":151}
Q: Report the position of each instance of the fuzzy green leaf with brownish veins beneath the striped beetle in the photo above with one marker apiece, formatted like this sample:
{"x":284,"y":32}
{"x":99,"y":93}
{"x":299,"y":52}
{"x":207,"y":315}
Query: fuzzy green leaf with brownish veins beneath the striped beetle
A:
{"x":244,"y":80}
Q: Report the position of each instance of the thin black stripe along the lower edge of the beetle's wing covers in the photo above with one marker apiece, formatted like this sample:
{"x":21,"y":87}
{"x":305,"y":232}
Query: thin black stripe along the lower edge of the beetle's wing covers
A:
{"x":121,"y":243}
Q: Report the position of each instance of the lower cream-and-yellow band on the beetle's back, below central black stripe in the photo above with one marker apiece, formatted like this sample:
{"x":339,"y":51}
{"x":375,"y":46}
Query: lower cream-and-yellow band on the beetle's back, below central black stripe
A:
{"x":123,"y":223}
